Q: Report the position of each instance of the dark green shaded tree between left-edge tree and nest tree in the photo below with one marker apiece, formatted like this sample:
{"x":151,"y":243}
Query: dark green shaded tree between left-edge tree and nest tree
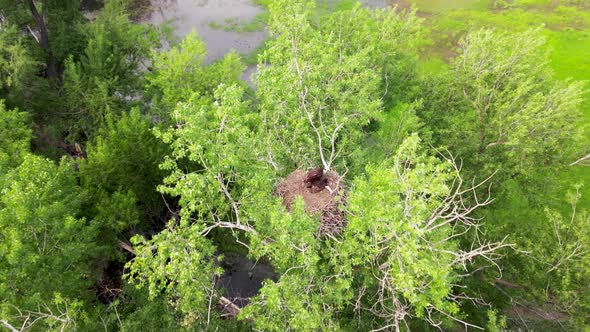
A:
{"x":123,"y":158}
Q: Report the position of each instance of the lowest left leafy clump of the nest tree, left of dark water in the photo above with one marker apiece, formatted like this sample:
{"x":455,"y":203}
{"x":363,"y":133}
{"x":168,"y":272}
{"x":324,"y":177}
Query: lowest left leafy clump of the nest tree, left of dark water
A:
{"x":179,"y":262}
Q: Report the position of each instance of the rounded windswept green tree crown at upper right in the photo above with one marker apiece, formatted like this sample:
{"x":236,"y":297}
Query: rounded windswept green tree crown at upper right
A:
{"x":500,"y":107}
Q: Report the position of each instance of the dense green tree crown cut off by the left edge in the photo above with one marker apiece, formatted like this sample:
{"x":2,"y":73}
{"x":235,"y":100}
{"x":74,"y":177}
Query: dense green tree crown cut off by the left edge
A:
{"x":45,"y":247}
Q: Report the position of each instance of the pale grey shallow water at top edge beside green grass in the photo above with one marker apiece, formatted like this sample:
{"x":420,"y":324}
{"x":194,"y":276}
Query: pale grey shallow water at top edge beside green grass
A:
{"x":185,"y":16}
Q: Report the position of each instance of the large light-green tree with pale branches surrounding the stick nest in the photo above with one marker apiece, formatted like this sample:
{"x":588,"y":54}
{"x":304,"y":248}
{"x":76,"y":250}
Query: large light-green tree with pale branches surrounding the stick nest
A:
{"x":223,"y":172}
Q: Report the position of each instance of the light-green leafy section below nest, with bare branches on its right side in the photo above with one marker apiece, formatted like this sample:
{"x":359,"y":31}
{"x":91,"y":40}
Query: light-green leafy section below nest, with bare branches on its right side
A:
{"x":395,"y":262}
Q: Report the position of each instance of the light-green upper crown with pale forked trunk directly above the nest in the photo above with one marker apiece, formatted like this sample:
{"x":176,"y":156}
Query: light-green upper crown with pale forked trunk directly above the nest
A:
{"x":319,"y":85}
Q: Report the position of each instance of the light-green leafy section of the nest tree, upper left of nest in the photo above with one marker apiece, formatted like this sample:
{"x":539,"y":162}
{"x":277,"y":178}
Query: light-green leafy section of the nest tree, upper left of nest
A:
{"x":216,"y":140}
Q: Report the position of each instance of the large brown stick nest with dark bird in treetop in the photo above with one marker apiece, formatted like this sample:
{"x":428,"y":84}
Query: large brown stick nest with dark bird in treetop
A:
{"x":322,"y":194}
